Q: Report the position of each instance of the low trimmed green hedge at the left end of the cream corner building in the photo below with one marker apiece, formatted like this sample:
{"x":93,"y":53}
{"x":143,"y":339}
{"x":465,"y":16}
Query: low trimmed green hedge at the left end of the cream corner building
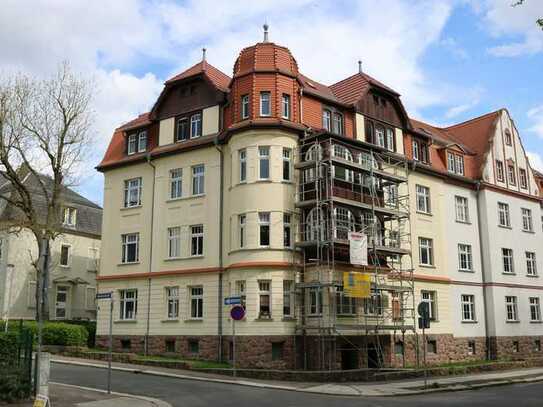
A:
{"x":55,"y":333}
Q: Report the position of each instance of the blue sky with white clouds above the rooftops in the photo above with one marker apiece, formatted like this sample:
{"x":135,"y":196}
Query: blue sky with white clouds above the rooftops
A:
{"x":450,"y":59}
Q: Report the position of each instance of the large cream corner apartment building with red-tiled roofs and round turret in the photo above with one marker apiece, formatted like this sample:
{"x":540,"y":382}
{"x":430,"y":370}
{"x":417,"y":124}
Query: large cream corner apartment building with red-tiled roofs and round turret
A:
{"x":250,"y":185}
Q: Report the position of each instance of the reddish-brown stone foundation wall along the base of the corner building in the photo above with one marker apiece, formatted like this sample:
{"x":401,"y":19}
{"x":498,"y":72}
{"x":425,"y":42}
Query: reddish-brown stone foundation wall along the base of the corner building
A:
{"x":295,"y":352}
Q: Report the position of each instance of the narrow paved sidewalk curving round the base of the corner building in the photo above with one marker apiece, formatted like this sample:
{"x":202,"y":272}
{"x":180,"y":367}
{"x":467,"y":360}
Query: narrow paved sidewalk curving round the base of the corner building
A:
{"x":396,"y":388}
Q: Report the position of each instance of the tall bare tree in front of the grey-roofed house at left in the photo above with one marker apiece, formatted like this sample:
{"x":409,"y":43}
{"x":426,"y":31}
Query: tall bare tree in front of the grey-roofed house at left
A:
{"x":44,"y":134}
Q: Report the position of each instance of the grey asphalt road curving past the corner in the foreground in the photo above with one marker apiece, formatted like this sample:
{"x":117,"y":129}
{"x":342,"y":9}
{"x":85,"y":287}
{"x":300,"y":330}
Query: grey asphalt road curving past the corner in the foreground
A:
{"x":190,"y":393}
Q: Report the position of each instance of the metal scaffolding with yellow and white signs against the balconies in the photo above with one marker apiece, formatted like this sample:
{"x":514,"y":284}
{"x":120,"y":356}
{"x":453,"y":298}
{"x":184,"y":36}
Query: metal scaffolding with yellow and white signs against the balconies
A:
{"x":347,"y":185}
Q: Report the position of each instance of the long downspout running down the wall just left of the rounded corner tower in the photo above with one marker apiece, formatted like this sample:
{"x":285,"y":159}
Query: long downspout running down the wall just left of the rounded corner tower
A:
{"x":221,"y":218}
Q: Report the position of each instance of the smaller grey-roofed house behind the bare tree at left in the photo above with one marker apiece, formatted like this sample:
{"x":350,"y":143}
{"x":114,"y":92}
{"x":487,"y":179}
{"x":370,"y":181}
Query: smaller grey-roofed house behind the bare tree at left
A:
{"x":75,"y":258}
